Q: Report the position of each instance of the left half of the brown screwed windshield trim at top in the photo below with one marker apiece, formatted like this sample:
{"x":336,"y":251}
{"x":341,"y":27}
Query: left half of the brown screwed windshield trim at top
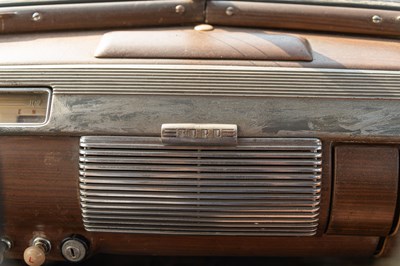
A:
{"x":100,"y":15}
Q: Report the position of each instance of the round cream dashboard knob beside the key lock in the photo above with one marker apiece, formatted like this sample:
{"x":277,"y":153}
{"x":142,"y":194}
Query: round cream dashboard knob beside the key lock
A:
{"x":35,"y":255}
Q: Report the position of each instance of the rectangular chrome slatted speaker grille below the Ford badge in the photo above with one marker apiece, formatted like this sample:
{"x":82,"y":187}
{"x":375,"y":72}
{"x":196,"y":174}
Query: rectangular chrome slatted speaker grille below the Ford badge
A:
{"x":262,"y":186}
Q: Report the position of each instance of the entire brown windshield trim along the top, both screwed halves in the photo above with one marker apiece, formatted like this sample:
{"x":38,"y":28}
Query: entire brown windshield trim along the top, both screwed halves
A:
{"x":103,"y":15}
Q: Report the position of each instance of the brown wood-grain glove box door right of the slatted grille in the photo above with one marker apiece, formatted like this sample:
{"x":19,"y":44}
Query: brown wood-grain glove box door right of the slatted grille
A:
{"x":365,"y":190}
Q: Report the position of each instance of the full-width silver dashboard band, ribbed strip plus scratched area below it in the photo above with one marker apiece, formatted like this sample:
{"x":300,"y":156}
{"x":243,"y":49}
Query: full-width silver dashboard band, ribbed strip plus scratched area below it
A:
{"x":262,"y":101}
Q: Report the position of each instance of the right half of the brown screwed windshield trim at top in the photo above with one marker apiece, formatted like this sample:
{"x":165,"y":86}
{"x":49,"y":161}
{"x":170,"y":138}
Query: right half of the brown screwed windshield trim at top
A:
{"x":302,"y":17}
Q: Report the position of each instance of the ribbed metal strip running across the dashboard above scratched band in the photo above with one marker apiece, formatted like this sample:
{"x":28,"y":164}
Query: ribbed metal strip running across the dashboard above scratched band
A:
{"x":208,"y":81}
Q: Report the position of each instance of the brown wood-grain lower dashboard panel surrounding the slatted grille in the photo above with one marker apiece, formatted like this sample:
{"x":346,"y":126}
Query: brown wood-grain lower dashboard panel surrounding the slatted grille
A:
{"x":39,"y":184}
